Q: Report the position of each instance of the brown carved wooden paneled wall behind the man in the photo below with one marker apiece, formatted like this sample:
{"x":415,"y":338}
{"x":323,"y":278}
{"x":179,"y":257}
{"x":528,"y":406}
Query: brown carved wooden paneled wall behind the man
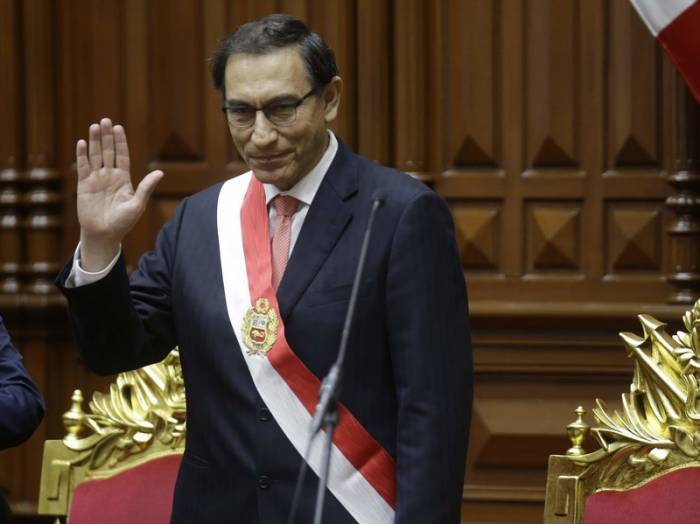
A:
{"x":557,"y":131}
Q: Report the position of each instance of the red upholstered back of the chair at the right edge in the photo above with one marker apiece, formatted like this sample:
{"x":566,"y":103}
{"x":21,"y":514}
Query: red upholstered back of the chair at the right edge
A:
{"x":671,"y":498}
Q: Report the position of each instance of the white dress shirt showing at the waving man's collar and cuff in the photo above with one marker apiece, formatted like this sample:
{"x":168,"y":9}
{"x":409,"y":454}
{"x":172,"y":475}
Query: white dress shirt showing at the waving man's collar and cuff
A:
{"x":304,"y":191}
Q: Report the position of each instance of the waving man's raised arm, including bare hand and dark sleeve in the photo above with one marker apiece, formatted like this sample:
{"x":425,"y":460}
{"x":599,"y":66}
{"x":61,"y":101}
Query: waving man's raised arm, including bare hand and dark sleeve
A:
{"x":116,"y":328}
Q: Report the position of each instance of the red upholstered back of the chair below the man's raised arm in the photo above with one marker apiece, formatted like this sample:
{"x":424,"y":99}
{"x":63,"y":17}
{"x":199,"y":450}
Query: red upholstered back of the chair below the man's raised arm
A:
{"x":140,"y":495}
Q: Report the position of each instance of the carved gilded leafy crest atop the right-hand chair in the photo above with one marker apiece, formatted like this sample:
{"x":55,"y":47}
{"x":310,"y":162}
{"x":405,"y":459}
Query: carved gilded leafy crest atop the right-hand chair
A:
{"x":658,"y":429}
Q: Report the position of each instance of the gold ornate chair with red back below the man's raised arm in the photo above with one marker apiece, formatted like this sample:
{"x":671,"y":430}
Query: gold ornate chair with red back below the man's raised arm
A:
{"x":118,"y":461}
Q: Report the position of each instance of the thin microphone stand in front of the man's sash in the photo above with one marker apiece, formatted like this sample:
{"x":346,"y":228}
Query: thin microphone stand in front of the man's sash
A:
{"x":326,"y":414}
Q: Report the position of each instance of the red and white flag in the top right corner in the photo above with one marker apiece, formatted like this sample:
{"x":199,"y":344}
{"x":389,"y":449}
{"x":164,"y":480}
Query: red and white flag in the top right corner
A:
{"x":676,"y":25}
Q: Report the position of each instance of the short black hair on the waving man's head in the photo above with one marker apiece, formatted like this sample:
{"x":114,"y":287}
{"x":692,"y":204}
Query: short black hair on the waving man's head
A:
{"x":275,"y":32}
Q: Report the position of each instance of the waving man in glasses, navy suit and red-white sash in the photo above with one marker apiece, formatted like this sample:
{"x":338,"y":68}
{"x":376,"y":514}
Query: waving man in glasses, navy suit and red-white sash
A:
{"x":252,"y":277}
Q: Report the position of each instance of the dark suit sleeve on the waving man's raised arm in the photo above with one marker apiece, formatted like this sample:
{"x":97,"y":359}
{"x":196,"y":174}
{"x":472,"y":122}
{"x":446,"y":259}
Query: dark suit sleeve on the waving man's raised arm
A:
{"x":120,"y":323}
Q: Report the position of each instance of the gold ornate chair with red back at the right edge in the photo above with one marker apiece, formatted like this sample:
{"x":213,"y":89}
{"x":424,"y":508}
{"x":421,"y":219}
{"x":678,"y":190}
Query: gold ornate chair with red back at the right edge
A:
{"x":647,"y":469}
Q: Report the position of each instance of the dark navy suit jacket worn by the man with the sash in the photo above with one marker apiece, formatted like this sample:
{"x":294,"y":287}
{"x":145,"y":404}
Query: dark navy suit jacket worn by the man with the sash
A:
{"x":408,"y":375}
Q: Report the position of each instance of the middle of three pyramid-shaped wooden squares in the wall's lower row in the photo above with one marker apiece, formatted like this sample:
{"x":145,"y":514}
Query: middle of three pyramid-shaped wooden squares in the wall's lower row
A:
{"x":553,"y":236}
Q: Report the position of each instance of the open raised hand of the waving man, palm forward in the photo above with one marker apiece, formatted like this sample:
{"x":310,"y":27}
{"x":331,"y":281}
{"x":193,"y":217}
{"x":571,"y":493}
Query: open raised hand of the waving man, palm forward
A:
{"x":108,"y":206}
